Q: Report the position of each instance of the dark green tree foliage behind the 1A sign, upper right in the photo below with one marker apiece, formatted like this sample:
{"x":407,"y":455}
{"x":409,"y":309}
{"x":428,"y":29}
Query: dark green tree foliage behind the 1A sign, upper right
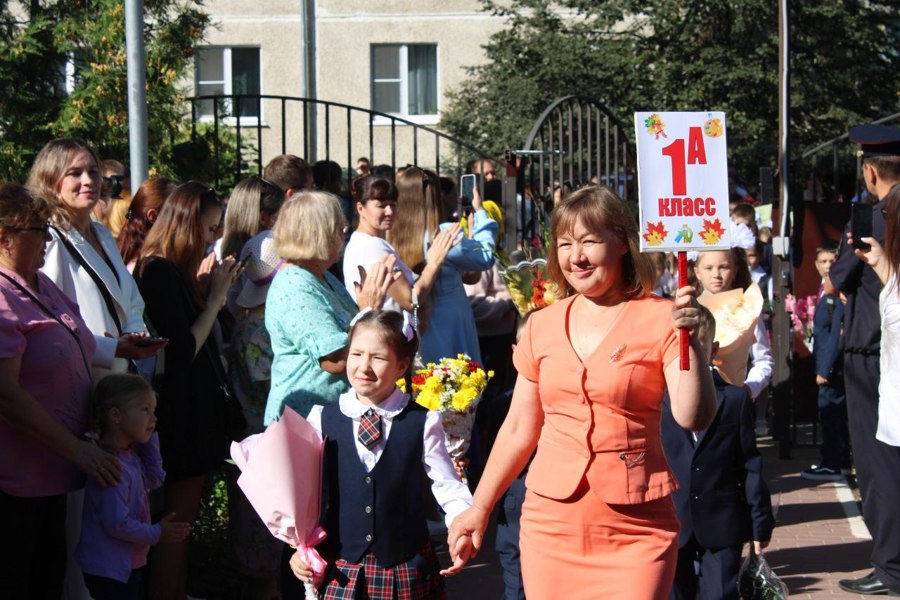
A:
{"x":678,"y":55}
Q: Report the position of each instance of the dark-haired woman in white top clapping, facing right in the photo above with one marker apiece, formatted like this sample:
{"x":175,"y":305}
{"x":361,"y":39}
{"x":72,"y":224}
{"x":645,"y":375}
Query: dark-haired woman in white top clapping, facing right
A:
{"x":376,"y":210}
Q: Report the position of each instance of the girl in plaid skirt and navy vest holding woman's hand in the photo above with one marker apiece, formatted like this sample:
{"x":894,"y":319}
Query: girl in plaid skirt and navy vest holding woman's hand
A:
{"x":378,"y":544}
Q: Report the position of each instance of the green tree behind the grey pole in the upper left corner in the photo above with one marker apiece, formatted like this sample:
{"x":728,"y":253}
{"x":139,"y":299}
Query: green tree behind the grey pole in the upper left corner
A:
{"x":37,"y":42}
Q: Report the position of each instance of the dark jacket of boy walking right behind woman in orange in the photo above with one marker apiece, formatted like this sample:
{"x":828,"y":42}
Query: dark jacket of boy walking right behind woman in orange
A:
{"x":722,"y":499}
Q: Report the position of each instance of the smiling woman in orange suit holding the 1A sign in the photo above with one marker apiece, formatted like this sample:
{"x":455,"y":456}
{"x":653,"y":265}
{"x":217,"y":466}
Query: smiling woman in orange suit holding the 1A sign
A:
{"x":598,"y":520}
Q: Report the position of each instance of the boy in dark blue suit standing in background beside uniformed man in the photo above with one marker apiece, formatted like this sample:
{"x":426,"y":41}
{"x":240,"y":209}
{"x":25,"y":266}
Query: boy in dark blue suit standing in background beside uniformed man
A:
{"x":828,"y":321}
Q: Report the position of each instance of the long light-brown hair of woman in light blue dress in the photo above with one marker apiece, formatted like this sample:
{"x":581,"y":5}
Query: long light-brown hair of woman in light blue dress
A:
{"x":418,"y":211}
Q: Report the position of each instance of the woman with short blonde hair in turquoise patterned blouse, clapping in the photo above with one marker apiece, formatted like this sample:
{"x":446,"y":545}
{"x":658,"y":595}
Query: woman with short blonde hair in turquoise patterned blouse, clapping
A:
{"x":308,"y":311}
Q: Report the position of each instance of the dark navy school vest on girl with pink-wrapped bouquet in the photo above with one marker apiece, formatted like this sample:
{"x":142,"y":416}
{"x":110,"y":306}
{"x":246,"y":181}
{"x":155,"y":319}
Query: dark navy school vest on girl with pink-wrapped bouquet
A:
{"x":381,"y":510}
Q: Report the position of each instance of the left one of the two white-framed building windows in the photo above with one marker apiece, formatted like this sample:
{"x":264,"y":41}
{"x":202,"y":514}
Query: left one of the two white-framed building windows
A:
{"x":228,"y":71}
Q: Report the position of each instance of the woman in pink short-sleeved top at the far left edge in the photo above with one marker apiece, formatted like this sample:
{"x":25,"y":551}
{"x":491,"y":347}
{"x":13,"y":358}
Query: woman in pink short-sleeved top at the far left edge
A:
{"x":45,"y":355}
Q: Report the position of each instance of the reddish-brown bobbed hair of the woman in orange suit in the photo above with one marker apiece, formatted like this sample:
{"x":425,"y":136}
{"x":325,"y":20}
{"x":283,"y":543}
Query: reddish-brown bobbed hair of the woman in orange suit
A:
{"x":597,"y":207}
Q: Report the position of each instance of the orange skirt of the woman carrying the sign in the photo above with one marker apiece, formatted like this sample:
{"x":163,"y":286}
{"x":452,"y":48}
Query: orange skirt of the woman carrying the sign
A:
{"x":584,"y":549}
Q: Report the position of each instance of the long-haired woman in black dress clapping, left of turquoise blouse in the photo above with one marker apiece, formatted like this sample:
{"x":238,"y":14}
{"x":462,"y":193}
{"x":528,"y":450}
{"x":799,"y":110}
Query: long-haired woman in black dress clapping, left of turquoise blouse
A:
{"x":184,"y":293}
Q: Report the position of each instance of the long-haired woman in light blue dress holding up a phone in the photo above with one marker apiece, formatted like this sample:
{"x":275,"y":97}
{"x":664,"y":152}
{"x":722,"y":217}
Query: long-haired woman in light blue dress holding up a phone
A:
{"x":449,"y":326}
